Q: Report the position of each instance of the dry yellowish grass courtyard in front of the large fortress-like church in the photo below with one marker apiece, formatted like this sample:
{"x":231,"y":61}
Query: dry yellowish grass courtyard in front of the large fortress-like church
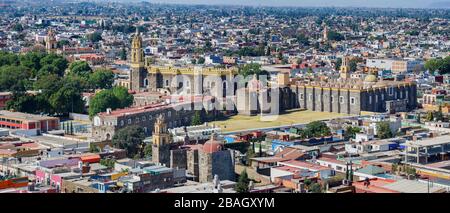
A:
{"x":291,"y":117}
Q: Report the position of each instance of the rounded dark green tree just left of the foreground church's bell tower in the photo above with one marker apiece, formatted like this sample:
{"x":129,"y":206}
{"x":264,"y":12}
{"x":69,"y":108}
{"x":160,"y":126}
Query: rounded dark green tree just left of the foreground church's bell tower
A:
{"x":130,"y":138}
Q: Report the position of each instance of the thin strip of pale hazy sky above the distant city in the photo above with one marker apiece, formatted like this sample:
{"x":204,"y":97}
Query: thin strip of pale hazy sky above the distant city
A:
{"x":321,"y":3}
